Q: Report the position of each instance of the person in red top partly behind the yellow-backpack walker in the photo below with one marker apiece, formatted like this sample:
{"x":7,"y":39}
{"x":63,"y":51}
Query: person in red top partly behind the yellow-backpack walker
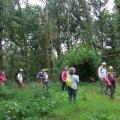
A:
{"x":64,"y":77}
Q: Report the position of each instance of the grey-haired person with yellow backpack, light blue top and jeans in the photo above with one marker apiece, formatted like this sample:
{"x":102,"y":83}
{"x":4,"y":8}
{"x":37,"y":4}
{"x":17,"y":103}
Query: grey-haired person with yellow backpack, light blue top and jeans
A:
{"x":72,"y":82}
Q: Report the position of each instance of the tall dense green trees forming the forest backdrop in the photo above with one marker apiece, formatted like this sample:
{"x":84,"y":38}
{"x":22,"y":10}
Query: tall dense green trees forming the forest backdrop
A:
{"x":29,"y":35}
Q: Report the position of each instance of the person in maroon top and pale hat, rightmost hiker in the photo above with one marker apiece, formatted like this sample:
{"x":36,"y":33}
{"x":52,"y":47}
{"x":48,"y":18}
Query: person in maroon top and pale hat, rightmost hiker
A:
{"x":111,"y":82}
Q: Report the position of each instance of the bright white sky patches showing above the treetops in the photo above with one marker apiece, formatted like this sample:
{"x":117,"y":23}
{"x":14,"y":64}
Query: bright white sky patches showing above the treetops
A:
{"x":109,"y":6}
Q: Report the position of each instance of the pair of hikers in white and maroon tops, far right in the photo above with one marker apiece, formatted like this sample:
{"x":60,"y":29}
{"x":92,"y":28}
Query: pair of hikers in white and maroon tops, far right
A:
{"x":108,"y":79}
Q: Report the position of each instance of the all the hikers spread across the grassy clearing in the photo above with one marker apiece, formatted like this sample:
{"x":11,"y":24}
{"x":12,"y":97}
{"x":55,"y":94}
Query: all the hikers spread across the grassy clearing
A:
{"x":70,"y":80}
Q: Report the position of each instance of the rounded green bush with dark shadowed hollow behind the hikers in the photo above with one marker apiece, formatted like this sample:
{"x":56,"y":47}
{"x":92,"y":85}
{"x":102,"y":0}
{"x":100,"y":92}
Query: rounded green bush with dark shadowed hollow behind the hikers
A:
{"x":85,"y":60}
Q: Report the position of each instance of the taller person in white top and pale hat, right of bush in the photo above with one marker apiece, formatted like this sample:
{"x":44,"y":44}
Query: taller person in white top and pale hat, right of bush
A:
{"x":102,"y":72}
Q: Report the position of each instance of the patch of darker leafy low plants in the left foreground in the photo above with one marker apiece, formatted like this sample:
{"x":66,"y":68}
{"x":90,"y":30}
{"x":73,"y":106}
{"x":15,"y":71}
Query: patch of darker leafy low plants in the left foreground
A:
{"x":24,"y":104}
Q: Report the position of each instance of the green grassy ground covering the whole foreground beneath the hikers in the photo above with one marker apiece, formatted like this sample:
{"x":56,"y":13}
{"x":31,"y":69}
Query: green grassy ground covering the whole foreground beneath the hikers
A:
{"x":35,"y":103}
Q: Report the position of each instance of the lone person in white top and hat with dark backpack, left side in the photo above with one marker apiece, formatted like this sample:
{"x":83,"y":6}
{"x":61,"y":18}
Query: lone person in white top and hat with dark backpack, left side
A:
{"x":19,"y":78}
